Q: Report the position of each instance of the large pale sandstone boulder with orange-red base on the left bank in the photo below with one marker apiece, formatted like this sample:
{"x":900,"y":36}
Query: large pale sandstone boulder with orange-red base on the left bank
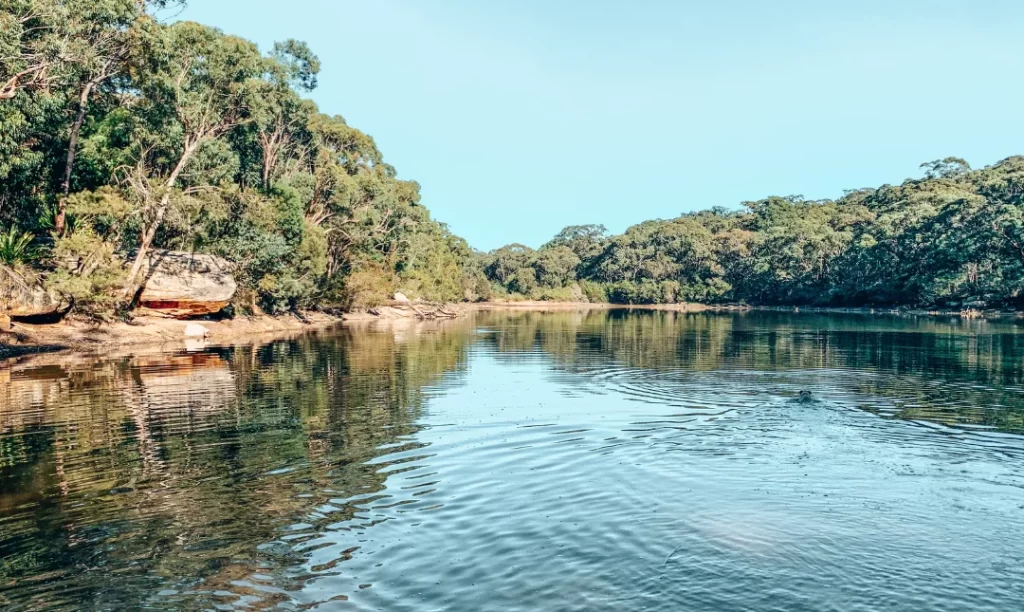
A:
{"x":186,"y":285}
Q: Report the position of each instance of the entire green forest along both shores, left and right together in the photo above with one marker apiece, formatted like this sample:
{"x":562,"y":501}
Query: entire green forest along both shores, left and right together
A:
{"x":123,"y":132}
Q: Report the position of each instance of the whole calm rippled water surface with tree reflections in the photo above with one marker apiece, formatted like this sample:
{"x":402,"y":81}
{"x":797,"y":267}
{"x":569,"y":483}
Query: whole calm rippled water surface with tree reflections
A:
{"x":603,"y":461}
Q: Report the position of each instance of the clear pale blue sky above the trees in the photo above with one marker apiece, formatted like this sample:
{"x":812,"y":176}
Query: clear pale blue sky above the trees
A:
{"x":521,"y":117}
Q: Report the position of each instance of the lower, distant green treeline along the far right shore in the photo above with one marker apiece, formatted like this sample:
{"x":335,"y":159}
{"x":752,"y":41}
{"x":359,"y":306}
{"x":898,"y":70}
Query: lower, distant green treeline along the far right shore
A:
{"x":954,"y":239}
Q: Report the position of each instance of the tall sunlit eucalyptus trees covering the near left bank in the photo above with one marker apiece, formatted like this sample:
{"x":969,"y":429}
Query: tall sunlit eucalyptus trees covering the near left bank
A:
{"x":121,"y":134}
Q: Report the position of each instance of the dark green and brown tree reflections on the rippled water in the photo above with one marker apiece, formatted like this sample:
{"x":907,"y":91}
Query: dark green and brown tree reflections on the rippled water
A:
{"x":125,"y":479}
